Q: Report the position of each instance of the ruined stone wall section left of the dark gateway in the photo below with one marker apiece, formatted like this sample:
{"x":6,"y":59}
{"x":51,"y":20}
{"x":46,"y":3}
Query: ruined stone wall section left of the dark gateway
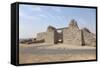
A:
{"x":50,"y":36}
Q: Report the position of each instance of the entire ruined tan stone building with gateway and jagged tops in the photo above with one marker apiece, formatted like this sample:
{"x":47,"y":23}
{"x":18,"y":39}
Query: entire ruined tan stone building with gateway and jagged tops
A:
{"x":68,"y":35}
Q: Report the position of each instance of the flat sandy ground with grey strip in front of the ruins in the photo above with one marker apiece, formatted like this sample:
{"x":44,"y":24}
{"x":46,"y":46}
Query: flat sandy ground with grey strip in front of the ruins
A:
{"x":37,"y":53}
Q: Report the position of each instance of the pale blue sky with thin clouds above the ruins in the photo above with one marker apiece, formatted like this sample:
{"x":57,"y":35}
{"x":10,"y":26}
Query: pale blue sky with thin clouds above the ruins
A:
{"x":34,"y":19}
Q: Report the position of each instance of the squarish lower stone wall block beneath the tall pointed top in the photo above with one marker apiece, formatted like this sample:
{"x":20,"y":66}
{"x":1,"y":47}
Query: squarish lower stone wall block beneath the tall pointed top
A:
{"x":72,"y":36}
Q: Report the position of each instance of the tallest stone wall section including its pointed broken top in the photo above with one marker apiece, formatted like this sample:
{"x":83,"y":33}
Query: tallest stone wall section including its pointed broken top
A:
{"x":72,"y":34}
